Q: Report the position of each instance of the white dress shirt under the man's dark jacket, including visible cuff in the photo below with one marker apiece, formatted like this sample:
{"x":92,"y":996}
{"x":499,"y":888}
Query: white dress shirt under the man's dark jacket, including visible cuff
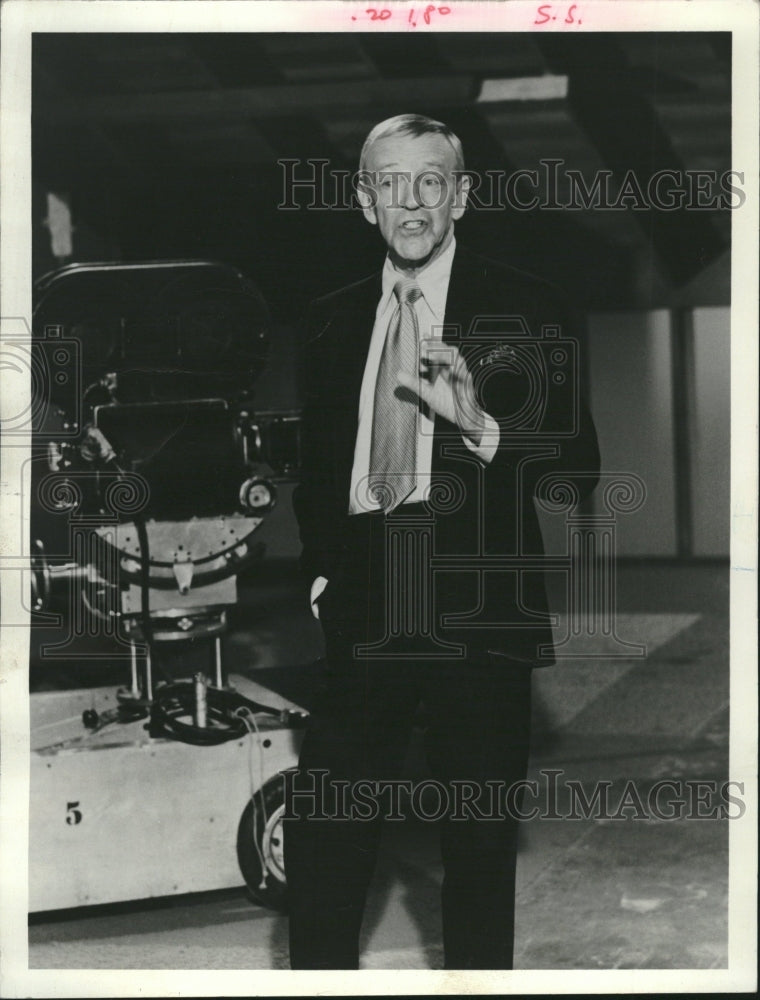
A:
{"x":430,"y":308}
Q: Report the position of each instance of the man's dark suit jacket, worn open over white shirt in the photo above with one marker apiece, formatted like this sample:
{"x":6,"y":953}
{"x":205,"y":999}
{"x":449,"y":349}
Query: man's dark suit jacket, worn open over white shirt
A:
{"x":505,"y":324}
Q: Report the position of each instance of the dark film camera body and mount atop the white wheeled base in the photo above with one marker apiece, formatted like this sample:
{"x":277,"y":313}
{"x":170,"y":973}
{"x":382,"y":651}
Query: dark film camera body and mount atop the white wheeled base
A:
{"x":151,"y":468}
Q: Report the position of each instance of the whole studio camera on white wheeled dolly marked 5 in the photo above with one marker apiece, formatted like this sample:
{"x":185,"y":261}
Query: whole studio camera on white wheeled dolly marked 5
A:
{"x":152,"y":471}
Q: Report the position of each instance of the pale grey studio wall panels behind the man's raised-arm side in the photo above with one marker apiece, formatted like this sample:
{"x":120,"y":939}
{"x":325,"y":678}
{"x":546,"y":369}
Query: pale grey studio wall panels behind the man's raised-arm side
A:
{"x":641,"y":394}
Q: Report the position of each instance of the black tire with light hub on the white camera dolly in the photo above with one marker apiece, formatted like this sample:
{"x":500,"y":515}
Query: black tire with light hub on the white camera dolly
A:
{"x":260,"y":836}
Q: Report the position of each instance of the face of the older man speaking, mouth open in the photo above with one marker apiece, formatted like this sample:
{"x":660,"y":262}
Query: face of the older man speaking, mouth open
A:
{"x":414,"y":196}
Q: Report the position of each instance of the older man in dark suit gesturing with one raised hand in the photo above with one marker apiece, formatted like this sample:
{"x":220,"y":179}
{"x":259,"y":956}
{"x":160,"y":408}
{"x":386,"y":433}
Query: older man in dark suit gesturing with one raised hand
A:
{"x":428,"y":422}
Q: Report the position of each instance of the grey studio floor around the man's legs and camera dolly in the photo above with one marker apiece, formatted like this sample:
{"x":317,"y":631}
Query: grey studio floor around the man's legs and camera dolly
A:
{"x":608,"y":891}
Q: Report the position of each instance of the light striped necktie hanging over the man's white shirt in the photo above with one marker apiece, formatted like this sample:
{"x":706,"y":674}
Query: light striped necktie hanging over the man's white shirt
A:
{"x":393,"y":457}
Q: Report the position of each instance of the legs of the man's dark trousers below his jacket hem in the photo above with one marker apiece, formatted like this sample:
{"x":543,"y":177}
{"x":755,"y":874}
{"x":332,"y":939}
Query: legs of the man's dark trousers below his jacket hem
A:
{"x":478,"y":731}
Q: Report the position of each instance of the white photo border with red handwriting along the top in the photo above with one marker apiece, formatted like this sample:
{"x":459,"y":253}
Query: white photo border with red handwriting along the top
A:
{"x":20,"y":19}
